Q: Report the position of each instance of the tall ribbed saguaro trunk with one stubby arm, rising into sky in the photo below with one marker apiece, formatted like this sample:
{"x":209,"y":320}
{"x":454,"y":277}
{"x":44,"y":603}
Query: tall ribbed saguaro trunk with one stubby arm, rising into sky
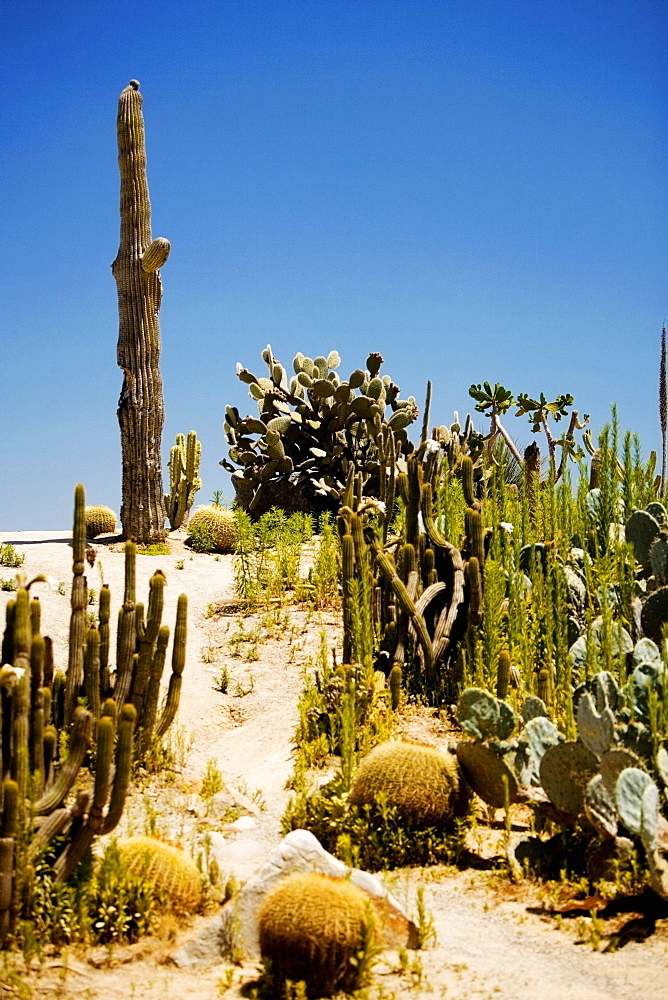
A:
{"x":141,"y":405}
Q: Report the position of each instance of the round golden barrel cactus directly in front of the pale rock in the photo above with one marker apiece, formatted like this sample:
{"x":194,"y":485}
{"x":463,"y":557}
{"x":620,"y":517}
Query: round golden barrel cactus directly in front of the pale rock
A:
{"x":313,"y":928}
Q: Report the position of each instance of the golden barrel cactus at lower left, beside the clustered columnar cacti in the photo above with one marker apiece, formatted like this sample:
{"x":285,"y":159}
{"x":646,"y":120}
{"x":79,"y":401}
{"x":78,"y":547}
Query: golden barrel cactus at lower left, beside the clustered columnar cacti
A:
{"x":171,"y":871}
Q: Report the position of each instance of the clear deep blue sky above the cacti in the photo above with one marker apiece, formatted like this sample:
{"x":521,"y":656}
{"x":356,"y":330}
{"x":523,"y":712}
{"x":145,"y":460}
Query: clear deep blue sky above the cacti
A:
{"x":475,"y":189}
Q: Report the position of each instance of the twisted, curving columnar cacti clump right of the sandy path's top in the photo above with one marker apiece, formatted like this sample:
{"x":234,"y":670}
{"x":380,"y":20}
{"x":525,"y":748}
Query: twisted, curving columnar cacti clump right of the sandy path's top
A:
{"x":426,"y":589}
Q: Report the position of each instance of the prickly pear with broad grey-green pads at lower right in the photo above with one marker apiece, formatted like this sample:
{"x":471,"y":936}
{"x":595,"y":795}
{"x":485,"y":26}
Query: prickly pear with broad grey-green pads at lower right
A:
{"x":611,"y":779}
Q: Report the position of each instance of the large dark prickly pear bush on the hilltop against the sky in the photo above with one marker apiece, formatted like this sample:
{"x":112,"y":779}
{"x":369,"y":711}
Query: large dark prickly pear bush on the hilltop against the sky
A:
{"x":314,"y":429}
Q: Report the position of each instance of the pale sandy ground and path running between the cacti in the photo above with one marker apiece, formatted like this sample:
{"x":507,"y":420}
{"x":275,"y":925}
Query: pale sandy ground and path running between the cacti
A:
{"x":493,"y":940}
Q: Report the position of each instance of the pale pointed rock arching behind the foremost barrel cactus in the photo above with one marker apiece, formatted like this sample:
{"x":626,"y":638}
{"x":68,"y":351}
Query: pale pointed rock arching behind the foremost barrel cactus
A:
{"x":235,"y":927}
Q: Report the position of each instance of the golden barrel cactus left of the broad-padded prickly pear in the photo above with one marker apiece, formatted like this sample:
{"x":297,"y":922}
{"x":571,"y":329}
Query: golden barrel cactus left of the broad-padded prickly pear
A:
{"x":422,"y":782}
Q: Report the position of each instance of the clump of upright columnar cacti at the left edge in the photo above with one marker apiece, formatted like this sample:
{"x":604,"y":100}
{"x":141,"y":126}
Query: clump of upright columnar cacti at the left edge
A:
{"x":41,"y":710}
